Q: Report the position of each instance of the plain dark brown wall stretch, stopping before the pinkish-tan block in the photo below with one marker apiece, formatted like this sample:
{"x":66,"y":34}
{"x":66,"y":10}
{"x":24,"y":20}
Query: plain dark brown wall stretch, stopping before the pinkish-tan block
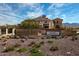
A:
{"x":26,"y":32}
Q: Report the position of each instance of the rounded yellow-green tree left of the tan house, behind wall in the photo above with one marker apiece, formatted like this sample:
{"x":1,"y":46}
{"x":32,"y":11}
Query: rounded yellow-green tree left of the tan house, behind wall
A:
{"x":29,"y":24}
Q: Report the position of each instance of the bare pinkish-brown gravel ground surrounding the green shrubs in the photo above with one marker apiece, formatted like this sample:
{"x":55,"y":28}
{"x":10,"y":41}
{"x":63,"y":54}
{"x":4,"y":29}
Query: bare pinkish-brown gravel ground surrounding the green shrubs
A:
{"x":66,"y":47}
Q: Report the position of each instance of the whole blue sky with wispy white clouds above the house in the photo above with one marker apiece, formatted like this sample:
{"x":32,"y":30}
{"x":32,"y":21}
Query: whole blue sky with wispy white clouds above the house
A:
{"x":14,"y":13}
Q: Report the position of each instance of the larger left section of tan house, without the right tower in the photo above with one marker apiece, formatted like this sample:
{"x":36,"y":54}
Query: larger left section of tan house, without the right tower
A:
{"x":44,"y":22}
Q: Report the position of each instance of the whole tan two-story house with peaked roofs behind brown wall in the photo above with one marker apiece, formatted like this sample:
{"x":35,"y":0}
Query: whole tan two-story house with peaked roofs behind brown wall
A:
{"x":46,"y":23}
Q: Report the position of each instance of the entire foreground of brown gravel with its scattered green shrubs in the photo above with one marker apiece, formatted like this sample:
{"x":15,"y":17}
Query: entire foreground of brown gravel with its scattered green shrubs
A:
{"x":40,"y":47}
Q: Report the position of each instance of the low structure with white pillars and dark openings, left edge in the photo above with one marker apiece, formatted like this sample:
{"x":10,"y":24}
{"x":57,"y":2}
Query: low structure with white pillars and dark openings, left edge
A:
{"x":7,"y":31}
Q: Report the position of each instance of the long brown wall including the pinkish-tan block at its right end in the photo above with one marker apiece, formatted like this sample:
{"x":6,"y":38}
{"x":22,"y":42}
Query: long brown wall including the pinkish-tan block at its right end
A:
{"x":27,"y":32}
